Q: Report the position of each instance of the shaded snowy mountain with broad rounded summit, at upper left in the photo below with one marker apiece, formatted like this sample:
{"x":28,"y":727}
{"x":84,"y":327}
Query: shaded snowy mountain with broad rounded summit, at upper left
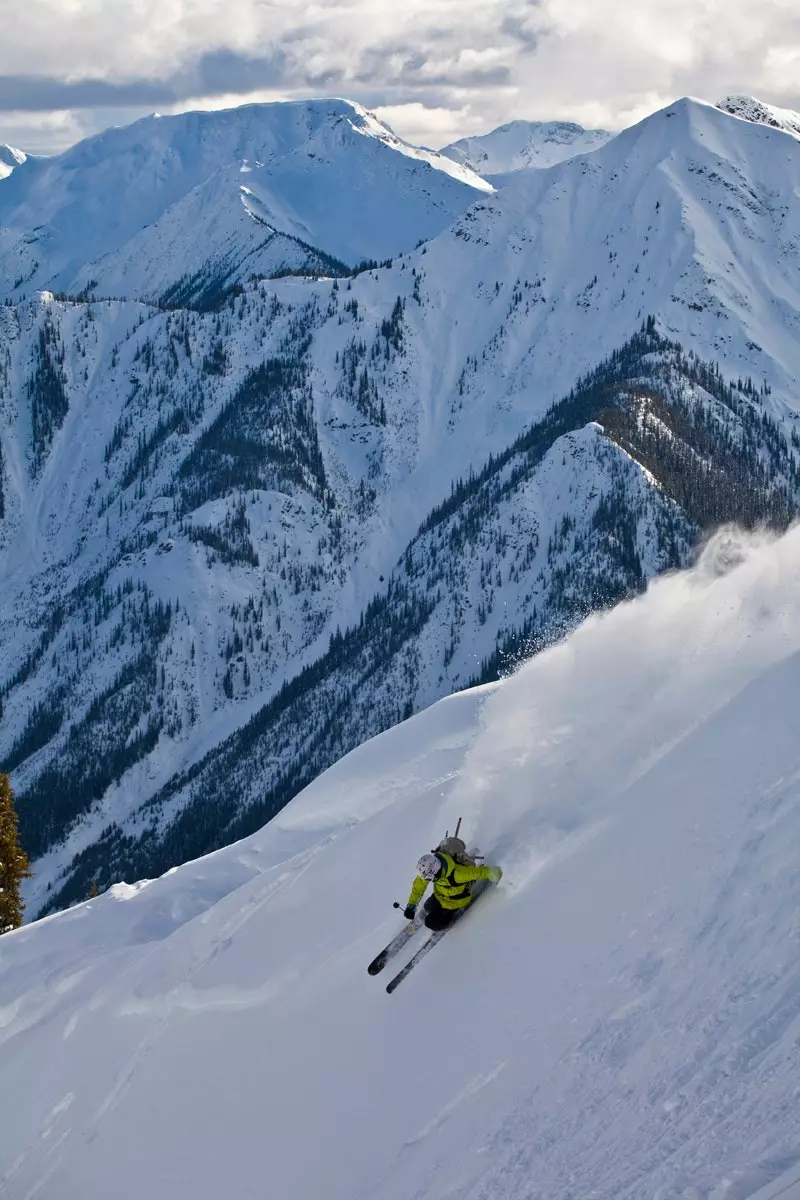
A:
{"x":171,"y":206}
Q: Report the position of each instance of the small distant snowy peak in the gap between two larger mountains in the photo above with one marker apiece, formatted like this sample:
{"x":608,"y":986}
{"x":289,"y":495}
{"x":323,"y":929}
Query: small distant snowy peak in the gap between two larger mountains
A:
{"x":521,"y":146}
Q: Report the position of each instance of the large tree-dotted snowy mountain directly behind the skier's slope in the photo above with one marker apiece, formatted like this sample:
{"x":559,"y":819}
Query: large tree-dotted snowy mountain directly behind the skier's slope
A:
{"x":238,"y":539}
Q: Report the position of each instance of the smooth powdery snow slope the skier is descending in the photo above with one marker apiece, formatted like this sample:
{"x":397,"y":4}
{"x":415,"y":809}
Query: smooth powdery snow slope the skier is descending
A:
{"x":618,"y":1021}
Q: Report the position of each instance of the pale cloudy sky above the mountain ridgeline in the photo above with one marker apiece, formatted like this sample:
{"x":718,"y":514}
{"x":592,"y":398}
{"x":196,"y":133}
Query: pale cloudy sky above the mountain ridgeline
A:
{"x":436,"y":70}
